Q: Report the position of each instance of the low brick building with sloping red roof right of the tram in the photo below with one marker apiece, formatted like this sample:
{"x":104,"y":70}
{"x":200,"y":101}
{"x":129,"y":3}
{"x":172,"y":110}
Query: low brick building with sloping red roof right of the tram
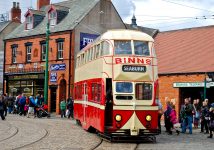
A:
{"x":185,"y":59}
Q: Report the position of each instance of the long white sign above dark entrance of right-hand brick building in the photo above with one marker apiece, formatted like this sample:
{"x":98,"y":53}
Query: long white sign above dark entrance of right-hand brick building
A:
{"x":192,"y":84}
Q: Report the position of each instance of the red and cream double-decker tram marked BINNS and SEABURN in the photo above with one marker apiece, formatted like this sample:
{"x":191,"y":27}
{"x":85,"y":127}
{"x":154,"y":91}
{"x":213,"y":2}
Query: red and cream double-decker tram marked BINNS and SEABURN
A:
{"x":116,"y":80}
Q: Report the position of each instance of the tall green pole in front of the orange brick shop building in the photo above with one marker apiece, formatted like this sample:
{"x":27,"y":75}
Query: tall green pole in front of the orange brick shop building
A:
{"x":46,"y":64}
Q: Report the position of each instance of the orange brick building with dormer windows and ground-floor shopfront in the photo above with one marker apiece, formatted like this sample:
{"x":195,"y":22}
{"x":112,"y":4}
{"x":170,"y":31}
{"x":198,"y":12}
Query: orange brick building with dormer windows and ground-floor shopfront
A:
{"x":72,"y":24}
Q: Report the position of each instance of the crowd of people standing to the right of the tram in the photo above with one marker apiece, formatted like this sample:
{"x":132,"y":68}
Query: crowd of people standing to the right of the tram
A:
{"x":191,"y":115}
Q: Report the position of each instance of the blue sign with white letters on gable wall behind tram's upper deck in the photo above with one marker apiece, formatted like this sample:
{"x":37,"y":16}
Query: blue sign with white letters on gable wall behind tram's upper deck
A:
{"x":86,"y":38}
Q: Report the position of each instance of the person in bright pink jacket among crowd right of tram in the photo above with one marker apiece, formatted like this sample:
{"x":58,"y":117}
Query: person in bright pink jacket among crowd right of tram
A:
{"x":174,"y":120}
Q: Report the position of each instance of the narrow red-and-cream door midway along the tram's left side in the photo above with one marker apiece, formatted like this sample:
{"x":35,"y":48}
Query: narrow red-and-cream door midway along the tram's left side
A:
{"x":85,"y":99}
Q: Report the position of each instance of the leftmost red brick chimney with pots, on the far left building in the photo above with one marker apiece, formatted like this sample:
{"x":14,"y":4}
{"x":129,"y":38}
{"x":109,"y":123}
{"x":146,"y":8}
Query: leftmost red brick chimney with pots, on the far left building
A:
{"x":16,"y":13}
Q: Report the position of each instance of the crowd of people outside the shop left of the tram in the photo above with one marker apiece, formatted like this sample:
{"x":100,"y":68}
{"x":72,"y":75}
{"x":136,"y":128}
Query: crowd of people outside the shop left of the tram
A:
{"x":30,"y":105}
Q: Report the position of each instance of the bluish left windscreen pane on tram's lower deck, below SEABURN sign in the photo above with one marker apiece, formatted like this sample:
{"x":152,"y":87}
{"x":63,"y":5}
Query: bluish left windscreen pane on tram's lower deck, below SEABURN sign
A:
{"x":124,"y":87}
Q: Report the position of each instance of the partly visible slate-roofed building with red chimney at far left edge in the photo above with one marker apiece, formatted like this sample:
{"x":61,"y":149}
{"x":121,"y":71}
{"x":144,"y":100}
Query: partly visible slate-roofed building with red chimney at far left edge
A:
{"x":7,"y":26}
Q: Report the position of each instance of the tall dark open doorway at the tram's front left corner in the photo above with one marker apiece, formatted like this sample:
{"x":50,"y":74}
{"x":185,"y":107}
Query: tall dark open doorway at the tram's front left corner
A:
{"x":109,"y":103}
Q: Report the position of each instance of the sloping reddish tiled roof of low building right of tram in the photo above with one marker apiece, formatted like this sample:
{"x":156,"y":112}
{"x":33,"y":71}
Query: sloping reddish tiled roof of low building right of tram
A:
{"x":185,"y":51}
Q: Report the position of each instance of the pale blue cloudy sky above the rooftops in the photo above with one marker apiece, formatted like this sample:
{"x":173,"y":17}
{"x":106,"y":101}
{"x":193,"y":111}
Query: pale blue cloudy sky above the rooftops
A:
{"x":159,"y":14}
